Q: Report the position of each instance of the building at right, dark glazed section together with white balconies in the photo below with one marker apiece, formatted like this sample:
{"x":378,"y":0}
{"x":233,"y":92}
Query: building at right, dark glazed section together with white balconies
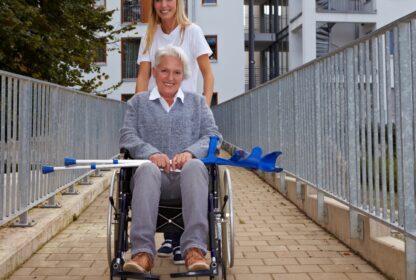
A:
{"x":290,"y":33}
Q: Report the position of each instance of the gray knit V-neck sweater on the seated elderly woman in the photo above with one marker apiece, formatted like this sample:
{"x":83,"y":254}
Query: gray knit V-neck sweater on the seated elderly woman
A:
{"x":149,"y":129}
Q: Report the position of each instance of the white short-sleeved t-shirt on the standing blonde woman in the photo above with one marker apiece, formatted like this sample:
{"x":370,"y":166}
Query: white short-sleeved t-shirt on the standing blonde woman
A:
{"x":194,"y":45}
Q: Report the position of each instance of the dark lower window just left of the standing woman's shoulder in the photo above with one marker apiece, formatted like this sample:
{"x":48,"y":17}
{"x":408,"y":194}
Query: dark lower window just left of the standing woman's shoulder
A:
{"x":129,"y":51}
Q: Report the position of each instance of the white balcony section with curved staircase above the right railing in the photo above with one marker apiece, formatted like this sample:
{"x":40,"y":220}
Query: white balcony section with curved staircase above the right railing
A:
{"x":321,"y":26}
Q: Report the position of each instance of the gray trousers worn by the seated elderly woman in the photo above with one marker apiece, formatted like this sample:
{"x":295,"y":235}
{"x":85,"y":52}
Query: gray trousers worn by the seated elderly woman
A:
{"x":151,"y":184}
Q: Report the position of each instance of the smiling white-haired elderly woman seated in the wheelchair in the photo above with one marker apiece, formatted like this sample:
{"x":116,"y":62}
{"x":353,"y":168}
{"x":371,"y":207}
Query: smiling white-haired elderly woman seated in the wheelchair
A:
{"x":172,"y":129}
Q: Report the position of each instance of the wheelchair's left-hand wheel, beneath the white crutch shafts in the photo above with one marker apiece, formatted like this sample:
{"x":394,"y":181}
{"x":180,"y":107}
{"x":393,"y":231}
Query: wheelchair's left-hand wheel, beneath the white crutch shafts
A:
{"x":111,"y":219}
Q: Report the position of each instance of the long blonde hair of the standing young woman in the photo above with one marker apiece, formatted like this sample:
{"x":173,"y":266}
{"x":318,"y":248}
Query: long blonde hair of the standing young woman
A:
{"x":154,"y":20}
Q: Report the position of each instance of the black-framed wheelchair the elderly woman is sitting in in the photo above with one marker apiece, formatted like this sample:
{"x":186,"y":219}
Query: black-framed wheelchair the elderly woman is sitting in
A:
{"x":220,"y":220}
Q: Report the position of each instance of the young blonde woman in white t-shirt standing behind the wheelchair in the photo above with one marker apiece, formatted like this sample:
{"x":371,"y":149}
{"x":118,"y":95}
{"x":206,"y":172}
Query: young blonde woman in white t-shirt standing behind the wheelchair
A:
{"x":168,"y":24}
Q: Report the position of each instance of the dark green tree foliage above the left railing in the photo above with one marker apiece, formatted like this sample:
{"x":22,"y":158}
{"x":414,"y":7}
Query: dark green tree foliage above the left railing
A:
{"x":54,"y":40}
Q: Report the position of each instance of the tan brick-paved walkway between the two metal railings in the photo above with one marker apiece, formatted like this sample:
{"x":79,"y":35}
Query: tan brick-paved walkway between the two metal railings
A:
{"x":274,"y":240}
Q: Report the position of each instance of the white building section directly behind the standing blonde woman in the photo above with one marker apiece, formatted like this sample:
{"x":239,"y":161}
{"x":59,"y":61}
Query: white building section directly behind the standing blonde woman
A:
{"x":222,"y":23}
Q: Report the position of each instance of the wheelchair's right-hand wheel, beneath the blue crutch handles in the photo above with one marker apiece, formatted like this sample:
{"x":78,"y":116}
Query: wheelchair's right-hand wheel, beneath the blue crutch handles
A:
{"x":227,"y":221}
